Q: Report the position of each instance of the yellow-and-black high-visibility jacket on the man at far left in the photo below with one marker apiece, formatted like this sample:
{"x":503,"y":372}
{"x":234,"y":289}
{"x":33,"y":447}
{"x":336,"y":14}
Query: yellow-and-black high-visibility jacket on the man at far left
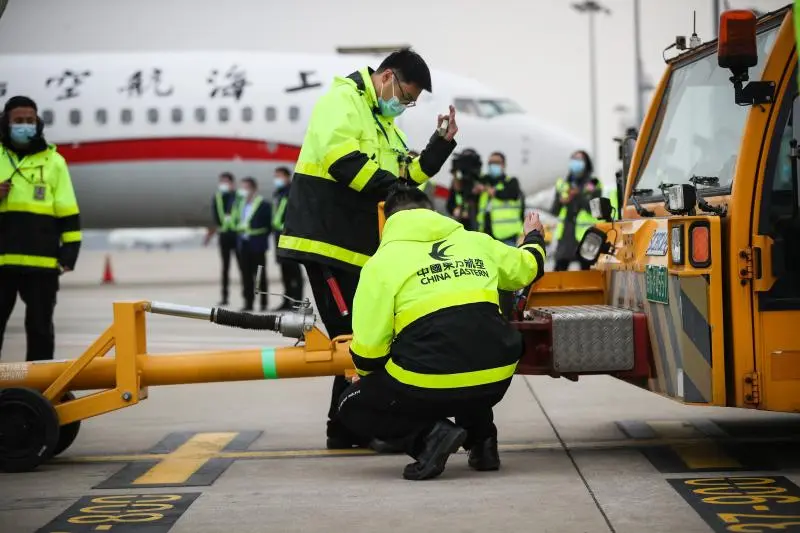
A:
{"x":39,"y":219}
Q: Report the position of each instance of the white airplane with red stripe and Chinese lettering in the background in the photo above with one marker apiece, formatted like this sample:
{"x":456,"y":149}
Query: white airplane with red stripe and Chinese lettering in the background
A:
{"x":146,"y":134}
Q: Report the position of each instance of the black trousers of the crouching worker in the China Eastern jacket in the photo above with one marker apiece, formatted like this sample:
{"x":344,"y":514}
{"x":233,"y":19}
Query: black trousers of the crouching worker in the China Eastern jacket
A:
{"x":374,"y":409}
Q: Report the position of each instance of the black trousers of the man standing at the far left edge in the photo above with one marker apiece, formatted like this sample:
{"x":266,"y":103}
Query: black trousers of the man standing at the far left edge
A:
{"x":38,"y":292}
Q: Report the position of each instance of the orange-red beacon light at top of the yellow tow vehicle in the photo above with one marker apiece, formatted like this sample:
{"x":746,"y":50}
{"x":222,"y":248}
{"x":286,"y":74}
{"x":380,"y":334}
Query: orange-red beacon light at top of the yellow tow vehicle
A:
{"x":736,"y":48}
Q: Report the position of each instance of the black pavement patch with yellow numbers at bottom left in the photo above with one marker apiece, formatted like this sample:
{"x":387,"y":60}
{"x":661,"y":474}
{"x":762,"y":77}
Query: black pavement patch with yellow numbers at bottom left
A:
{"x":122,"y":513}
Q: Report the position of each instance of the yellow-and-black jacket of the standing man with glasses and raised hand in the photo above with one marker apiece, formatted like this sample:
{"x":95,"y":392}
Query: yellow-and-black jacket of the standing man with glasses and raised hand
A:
{"x":350,"y":156}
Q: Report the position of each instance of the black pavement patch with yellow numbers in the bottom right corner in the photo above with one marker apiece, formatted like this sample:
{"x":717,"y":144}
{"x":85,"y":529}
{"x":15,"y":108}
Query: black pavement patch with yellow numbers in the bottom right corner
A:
{"x":743,"y":504}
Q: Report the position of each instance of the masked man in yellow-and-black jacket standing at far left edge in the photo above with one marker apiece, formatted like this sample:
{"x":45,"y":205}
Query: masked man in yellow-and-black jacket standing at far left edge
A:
{"x":40,"y":231}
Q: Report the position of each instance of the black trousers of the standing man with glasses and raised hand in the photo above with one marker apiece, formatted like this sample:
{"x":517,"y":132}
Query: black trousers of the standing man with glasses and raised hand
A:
{"x":336,"y":324}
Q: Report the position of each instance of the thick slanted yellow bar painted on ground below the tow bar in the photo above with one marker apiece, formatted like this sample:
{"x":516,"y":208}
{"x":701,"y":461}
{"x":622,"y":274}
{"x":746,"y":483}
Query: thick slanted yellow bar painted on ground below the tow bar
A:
{"x":178,"y":466}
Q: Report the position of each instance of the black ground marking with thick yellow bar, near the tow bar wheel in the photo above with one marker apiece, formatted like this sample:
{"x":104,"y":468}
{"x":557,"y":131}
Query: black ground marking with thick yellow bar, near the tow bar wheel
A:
{"x":183,"y":460}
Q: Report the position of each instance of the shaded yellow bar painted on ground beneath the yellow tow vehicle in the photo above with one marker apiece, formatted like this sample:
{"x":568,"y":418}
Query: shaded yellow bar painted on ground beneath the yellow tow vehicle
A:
{"x":697,"y":455}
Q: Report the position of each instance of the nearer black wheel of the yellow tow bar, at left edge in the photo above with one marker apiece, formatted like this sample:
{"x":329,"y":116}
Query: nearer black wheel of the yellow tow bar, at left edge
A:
{"x":29,"y":429}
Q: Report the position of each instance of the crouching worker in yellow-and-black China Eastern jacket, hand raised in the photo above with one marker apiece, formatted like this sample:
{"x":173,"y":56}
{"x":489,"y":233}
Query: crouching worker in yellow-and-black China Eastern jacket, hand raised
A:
{"x":429,"y":341}
